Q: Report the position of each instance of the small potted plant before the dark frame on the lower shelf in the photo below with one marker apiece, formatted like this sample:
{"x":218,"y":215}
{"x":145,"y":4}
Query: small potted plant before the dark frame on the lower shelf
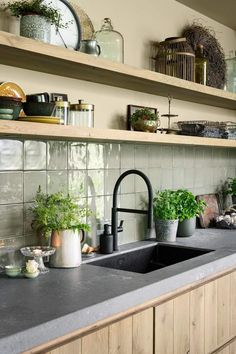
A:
{"x":144,"y":120}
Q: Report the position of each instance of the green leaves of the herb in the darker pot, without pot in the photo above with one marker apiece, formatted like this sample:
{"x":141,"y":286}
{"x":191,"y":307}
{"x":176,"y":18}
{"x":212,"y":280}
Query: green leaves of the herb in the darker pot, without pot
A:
{"x":188,"y":206}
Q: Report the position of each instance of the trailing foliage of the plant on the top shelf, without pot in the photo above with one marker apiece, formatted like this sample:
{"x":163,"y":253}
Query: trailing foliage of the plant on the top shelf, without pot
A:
{"x":36,"y":7}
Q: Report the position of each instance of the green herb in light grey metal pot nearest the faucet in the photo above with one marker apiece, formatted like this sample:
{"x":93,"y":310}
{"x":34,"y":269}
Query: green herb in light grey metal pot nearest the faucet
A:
{"x":165,"y":213}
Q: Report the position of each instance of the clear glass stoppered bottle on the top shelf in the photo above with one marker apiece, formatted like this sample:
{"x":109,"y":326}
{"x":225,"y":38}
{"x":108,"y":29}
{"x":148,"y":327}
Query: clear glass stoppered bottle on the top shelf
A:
{"x":111,"y":42}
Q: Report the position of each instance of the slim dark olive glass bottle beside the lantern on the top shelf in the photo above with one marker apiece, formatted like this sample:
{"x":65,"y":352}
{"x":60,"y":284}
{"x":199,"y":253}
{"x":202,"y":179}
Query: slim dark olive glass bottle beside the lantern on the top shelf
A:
{"x":201,"y":66}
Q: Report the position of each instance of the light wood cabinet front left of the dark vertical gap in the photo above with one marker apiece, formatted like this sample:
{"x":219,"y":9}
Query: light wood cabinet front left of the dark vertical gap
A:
{"x":132,"y":335}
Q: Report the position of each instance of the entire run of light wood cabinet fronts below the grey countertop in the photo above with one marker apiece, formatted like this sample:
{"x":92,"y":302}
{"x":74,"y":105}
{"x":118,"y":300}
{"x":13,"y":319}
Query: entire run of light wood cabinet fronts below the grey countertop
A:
{"x":200,"y":321}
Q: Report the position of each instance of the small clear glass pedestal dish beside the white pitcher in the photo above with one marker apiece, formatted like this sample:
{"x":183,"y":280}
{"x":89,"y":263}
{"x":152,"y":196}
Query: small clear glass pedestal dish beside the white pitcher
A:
{"x":38,"y":252}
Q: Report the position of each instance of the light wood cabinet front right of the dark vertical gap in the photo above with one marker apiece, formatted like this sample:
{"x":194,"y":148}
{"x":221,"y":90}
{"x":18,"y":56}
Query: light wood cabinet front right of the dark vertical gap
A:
{"x":199,"y":321}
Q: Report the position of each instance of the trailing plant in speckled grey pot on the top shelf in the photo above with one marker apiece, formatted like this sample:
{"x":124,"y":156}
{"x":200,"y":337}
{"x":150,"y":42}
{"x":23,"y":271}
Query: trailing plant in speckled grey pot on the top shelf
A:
{"x":36,"y":18}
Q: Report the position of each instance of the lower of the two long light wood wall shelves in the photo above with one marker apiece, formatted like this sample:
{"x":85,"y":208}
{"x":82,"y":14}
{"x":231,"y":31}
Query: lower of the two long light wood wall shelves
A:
{"x":59,"y":132}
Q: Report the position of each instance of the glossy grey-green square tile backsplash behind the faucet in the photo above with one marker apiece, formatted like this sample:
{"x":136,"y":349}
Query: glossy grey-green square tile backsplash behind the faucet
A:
{"x":89,"y":171}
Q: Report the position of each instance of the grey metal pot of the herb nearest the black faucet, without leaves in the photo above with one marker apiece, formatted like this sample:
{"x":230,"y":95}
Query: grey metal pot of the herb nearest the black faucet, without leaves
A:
{"x":166,"y":230}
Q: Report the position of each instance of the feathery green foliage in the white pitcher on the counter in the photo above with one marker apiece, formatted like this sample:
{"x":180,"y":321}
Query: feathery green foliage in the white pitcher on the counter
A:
{"x":58,"y":212}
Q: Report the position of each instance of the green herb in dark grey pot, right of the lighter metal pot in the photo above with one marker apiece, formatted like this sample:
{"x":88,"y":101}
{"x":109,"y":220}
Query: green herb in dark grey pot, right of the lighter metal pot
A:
{"x":188,"y":209}
